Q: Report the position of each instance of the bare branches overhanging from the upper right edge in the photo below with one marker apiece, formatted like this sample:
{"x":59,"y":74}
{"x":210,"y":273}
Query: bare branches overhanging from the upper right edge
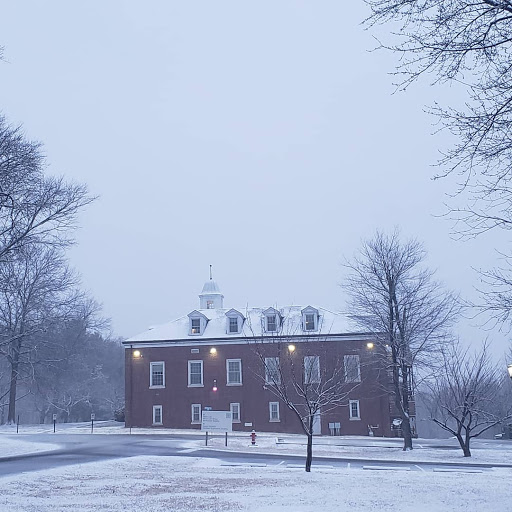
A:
{"x":467,"y":42}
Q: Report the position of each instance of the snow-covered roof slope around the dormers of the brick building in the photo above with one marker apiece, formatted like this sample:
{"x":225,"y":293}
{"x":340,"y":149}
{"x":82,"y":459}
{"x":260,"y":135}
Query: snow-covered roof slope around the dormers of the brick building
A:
{"x":329,"y":323}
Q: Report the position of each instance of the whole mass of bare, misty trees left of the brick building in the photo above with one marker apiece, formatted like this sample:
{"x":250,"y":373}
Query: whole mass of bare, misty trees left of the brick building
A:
{"x":54,"y":358}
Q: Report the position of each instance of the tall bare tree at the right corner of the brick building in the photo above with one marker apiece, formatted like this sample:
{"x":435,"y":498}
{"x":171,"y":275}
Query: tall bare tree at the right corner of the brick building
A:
{"x":393,"y":295}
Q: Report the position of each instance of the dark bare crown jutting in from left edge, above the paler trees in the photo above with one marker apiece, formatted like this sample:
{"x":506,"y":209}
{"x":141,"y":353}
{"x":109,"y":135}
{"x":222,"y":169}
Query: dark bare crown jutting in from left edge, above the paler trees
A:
{"x":34,"y":208}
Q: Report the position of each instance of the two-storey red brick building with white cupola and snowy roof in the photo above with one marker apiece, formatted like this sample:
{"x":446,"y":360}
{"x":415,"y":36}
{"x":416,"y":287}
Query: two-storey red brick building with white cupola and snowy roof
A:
{"x":218,"y":359}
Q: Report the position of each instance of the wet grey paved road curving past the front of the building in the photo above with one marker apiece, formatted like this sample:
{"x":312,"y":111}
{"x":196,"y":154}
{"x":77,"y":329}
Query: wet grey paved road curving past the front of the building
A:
{"x":82,"y":448}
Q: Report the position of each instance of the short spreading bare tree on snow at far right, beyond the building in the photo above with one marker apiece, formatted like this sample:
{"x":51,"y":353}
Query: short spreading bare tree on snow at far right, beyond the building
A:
{"x":465,"y":395}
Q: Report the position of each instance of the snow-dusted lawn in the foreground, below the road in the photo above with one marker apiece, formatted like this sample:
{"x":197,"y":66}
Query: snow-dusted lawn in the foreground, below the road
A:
{"x":179,"y":484}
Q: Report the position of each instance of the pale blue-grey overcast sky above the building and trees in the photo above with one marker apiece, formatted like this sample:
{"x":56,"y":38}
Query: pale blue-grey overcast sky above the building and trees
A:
{"x":261,"y":137}
